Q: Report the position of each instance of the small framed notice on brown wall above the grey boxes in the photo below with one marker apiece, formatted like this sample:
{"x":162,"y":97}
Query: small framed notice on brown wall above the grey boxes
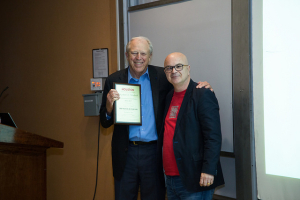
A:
{"x":100,"y":63}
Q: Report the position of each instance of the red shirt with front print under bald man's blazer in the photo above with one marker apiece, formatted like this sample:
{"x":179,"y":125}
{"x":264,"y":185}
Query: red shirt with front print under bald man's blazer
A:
{"x":169,"y":161}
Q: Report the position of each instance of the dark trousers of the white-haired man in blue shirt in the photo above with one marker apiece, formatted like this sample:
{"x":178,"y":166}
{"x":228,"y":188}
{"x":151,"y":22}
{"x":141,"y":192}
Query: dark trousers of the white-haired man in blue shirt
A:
{"x":140,"y":170}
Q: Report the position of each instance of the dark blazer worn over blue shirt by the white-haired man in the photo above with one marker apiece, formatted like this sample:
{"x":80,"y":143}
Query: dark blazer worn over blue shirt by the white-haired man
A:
{"x":120,"y":139}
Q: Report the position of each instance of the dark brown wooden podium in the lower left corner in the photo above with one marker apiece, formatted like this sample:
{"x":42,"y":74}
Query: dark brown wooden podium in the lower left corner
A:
{"x":23,"y":164}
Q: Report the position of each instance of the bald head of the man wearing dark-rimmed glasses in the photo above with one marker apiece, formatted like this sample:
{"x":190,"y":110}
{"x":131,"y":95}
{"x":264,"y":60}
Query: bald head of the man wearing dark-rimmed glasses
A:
{"x":179,"y":77}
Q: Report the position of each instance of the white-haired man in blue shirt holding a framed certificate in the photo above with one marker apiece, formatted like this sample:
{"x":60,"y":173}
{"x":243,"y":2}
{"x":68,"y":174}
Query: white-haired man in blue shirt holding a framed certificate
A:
{"x":134,"y":148}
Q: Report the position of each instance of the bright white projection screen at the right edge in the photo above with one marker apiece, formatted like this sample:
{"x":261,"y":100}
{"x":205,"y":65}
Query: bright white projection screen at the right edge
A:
{"x":276,"y":88}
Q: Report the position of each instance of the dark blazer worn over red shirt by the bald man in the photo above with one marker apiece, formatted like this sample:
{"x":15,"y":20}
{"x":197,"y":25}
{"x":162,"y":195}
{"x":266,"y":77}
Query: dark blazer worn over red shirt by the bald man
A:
{"x":197,"y":138}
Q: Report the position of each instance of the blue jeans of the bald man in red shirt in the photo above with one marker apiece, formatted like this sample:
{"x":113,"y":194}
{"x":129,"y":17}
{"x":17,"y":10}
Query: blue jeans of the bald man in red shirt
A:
{"x":176,"y":191}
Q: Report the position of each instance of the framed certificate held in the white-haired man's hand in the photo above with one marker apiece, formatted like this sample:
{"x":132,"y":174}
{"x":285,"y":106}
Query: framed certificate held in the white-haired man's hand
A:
{"x":127,"y":110}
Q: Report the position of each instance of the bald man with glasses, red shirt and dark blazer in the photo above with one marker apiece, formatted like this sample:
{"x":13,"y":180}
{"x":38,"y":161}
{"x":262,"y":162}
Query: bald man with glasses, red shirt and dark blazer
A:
{"x":191,"y":137}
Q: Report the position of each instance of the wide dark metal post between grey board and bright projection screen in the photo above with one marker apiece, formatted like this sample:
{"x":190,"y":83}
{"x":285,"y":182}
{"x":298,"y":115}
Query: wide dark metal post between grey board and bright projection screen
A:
{"x":242,"y":100}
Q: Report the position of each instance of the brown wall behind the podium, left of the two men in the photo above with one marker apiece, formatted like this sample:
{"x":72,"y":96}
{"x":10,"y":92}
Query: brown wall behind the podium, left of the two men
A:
{"x":46,"y":60}
